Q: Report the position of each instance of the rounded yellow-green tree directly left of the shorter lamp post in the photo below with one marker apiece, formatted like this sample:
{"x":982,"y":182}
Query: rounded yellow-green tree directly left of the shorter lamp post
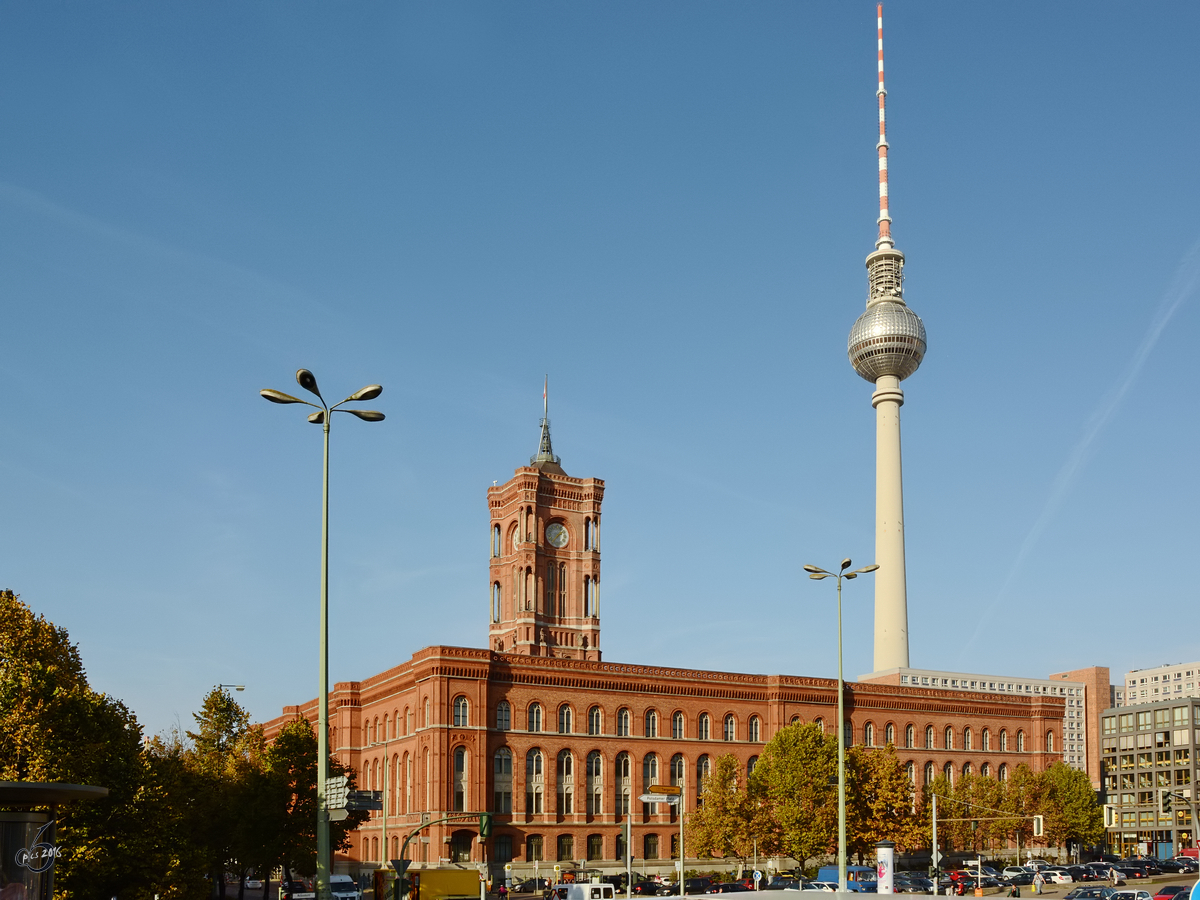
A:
{"x":796,"y":806}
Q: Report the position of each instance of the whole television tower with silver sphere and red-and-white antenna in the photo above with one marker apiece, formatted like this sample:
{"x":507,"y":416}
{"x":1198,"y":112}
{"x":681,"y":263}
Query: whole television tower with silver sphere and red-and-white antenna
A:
{"x":886,"y":346}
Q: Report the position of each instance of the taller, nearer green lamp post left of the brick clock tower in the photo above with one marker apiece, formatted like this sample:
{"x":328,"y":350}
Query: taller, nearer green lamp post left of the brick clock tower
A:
{"x":322,"y":417}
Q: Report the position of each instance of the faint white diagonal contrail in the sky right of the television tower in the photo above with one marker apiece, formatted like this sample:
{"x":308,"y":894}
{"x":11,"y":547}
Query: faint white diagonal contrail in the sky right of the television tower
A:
{"x":1184,"y":285}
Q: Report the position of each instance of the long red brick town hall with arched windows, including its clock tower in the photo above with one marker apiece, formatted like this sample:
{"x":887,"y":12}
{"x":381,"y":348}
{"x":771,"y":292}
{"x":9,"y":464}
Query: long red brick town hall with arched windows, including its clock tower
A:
{"x":560,"y":745}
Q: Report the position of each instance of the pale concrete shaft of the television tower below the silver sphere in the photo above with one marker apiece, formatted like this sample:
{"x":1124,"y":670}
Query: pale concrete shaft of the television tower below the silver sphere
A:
{"x":891,"y":591}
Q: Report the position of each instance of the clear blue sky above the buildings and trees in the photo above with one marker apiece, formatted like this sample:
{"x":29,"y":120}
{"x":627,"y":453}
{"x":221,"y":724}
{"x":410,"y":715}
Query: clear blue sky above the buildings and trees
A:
{"x":667,"y":208}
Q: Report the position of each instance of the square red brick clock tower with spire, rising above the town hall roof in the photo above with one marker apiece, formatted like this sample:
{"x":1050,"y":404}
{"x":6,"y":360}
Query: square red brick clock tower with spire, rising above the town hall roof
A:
{"x":545,"y":560}
